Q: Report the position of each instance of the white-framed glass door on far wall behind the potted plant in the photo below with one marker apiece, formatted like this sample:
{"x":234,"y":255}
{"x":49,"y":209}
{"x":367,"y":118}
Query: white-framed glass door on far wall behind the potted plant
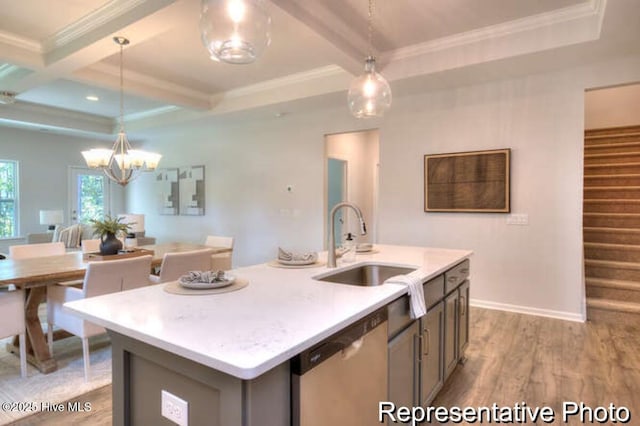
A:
{"x":88,"y":194}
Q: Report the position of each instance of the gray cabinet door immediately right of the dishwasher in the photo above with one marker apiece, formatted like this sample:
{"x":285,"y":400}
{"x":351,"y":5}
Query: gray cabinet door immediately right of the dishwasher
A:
{"x":403,"y":366}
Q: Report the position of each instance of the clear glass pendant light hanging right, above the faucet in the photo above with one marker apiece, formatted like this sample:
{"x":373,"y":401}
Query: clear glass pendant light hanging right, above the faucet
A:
{"x":369,"y":94}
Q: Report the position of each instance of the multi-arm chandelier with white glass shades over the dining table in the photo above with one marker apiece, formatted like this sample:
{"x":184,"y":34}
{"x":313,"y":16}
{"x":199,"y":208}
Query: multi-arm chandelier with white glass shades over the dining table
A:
{"x":121,"y":164}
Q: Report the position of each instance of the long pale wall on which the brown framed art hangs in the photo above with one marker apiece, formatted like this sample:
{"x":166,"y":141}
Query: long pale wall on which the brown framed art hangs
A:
{"x":535,"y":268}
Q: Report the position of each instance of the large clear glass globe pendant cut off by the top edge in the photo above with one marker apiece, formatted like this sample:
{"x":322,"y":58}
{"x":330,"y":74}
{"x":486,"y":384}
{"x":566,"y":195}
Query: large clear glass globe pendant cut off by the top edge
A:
{"x":235,"y":31}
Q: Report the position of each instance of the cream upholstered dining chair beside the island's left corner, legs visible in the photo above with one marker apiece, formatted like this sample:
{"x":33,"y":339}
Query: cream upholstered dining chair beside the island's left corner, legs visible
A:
{"x":100,"y":278}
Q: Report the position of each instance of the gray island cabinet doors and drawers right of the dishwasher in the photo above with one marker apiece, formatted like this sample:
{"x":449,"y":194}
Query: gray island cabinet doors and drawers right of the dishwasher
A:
{"x":423,"y":354}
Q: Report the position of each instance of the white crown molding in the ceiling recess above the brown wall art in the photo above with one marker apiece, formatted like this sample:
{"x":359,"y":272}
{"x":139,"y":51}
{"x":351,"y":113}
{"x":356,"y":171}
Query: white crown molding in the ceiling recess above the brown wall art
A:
{"x":588,"y":10}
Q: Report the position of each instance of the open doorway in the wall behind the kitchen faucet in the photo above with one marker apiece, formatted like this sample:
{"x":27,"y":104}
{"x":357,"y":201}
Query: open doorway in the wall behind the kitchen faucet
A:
{"x":352,"y":175}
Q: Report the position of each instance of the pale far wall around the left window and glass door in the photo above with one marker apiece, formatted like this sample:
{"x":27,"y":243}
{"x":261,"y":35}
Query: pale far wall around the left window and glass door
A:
{"x":43,"y":161}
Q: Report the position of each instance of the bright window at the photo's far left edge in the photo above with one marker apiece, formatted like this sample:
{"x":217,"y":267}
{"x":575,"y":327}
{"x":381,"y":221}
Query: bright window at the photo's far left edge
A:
{"x":8,"y":198}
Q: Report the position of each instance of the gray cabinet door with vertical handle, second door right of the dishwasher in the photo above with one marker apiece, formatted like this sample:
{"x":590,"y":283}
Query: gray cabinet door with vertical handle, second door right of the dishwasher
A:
{"x":431,"y":377}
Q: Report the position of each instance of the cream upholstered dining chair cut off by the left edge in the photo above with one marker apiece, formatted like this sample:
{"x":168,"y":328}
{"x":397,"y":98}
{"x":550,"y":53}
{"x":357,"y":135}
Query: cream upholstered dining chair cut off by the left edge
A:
{"x":12,"y":308}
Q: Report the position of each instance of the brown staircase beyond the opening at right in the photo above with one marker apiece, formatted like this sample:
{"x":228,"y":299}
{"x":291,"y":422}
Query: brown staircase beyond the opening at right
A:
{"x":611,"y":223}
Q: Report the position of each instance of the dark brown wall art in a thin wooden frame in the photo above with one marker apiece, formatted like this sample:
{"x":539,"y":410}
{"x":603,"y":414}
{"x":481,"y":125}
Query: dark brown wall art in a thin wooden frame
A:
{"x":476,"y":181}
